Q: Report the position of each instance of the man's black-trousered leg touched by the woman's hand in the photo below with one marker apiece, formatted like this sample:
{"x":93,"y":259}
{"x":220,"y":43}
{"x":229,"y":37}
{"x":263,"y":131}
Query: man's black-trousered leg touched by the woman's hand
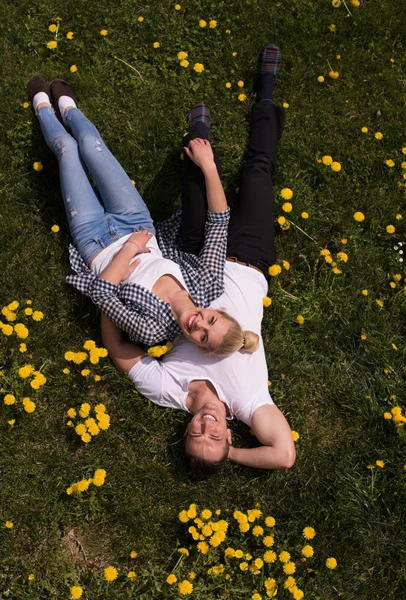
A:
{"x":194,"y":198}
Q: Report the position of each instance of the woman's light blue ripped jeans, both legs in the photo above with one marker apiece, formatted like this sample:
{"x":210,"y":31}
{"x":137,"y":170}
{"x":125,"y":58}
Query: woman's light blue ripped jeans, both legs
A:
{"x":92,"y":225}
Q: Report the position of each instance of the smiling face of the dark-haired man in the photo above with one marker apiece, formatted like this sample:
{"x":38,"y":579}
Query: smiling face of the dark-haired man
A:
{"x":207,"y":433}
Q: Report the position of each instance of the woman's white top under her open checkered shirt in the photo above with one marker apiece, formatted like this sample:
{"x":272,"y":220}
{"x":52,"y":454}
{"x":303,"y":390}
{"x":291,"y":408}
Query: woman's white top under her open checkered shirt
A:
{"x":152,"y":264}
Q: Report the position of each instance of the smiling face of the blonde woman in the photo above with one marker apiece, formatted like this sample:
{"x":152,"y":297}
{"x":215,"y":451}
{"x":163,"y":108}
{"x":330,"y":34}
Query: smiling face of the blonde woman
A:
{"x":205,"y":327}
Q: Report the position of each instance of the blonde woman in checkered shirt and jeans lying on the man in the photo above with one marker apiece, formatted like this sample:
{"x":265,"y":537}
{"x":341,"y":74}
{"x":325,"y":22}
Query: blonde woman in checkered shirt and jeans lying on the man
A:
{"x":117,"y":260}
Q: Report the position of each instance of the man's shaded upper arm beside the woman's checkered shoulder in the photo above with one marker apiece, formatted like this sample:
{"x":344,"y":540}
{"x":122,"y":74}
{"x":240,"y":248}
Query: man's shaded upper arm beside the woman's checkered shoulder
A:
{"x":124,"y":354}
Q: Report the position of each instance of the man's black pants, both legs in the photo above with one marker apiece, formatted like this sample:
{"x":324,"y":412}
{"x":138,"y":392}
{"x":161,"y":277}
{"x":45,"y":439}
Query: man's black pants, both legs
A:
{"x":251,"y":229}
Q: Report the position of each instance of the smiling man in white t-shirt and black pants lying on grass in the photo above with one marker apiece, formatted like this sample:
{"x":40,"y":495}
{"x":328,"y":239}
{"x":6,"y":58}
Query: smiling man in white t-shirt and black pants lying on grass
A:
{"x":215,"y":389}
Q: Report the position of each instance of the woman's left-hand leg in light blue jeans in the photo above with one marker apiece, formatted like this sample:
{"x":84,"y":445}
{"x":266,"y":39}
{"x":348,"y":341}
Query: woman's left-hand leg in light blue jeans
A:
{"x":84,"y":212}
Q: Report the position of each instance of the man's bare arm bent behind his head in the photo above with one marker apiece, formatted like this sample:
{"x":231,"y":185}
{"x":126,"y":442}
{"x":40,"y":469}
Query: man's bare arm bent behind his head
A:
{"x":271,"y":429}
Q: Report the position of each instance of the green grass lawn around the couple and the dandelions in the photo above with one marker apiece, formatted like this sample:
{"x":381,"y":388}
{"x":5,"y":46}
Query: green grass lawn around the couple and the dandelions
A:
{"x":335,"y":388}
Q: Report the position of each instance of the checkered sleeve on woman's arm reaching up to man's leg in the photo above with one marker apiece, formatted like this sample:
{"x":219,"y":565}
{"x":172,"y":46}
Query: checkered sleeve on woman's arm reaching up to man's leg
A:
{"x":214,"y":251}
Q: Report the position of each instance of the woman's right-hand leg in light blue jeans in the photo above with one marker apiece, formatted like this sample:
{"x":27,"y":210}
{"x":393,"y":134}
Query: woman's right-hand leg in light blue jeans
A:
{"x":120,"y":197}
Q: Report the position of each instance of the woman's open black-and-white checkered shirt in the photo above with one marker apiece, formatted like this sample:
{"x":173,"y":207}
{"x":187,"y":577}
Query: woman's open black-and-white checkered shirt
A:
{"x":145,"y":317}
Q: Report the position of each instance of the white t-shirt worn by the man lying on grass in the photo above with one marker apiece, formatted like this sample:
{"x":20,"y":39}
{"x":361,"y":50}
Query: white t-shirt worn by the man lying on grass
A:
{"x":241,"y":379}
